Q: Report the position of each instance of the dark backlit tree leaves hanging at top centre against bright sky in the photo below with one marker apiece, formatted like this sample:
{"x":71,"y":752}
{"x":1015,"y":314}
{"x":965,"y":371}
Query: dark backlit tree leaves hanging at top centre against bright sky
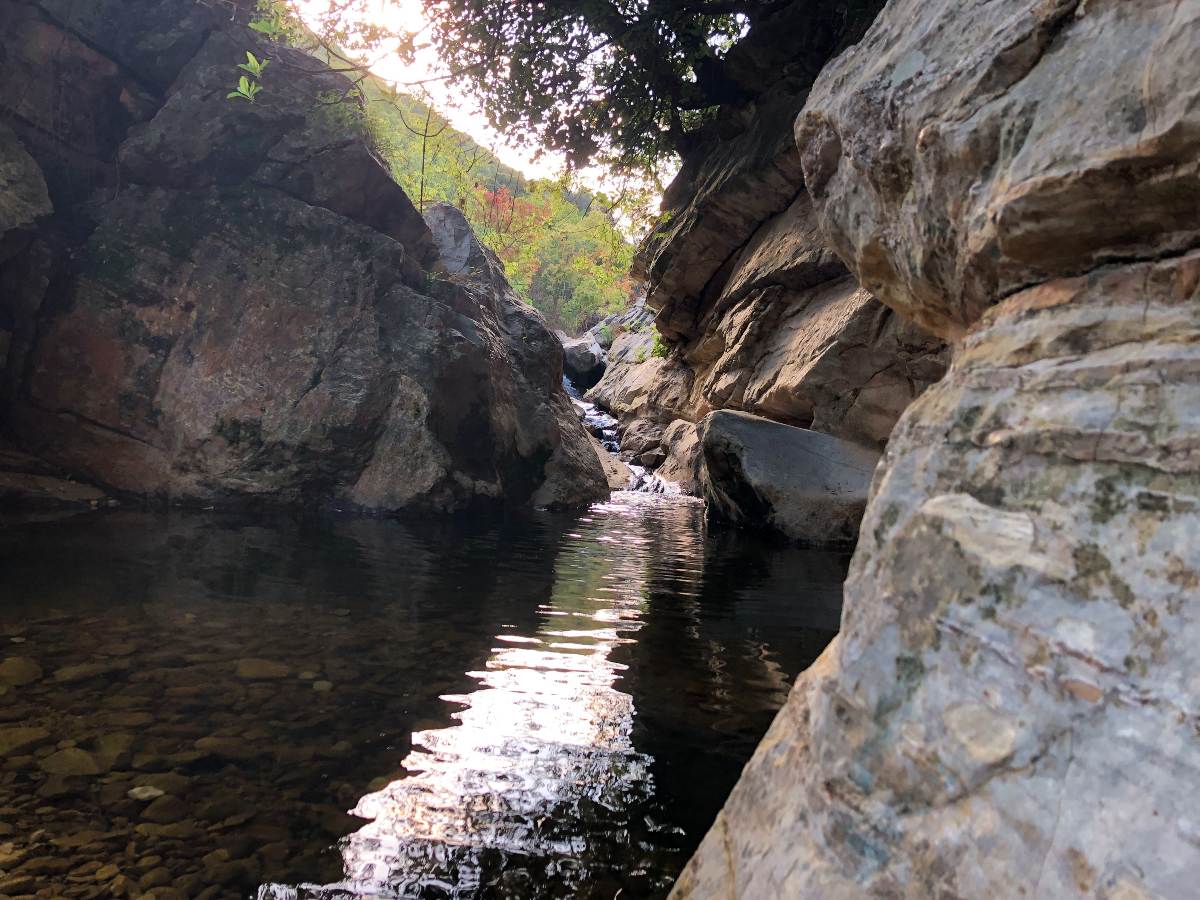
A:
{"x":628,"y":81}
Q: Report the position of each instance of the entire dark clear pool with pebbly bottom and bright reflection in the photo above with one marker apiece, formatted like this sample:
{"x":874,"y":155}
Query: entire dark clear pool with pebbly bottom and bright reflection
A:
{"x":544,"y":707}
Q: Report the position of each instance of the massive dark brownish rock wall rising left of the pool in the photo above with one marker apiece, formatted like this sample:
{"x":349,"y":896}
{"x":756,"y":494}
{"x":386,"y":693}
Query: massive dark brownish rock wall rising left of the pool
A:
{"x":207,"y":299}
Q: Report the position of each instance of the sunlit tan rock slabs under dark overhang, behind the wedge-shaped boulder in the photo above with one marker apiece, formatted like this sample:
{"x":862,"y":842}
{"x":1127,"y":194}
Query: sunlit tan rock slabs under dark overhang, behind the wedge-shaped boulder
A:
{"x":783,"y":333}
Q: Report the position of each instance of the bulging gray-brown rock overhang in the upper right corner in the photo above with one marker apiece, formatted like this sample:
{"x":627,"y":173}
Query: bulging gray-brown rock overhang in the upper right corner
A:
{"x":955,"y":166}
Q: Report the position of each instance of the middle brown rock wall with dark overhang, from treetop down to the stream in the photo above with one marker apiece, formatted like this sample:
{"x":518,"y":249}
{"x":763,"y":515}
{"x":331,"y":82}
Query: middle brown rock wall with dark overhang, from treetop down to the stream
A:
{"x":755,"y":313}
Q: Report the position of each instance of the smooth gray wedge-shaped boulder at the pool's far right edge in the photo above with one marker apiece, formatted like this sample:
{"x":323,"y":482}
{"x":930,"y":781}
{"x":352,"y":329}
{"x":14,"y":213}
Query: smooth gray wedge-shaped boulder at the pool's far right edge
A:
{"x":811,"y":488}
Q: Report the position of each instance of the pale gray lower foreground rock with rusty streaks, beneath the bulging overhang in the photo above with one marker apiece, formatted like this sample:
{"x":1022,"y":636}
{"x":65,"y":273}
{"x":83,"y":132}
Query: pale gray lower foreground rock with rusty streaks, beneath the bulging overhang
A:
{"x":1007,"y":711}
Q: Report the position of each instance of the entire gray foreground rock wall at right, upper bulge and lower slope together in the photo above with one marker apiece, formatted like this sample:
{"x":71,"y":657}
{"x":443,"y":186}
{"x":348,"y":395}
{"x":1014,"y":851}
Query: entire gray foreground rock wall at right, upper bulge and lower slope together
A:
{"x":1011,"y":706}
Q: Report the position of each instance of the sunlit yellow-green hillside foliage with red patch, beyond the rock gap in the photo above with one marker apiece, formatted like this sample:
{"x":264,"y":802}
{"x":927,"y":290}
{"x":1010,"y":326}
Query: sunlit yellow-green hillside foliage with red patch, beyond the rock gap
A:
{"x":566,"y":250}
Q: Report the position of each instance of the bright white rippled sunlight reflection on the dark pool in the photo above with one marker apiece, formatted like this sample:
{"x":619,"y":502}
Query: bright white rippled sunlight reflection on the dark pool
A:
{"x":541,"y":759}
